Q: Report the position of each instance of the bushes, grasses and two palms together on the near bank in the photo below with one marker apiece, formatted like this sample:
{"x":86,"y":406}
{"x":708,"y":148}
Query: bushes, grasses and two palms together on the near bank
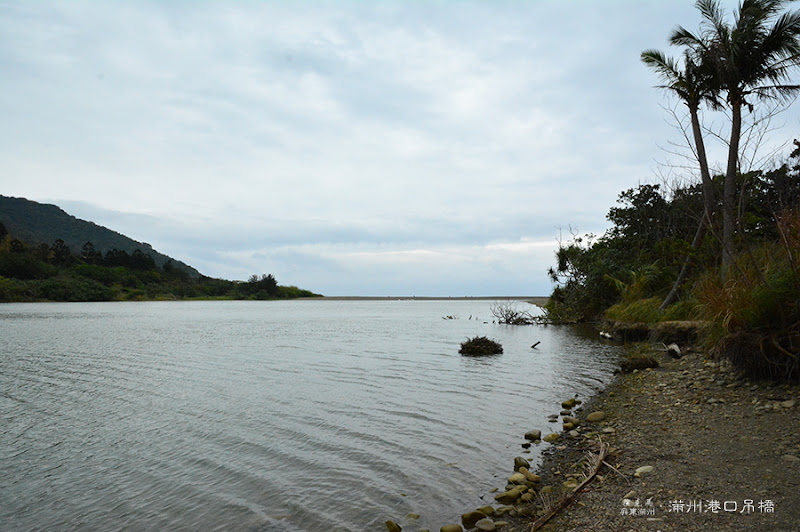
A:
{"x":724,"y":248}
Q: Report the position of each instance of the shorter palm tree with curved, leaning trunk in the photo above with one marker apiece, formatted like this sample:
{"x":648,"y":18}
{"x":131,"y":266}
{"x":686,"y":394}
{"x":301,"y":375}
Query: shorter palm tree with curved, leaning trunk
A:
{"x":694,"y":84}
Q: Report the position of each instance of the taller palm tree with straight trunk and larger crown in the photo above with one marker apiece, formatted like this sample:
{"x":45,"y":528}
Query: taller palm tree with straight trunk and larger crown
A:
{"x":752,"y":58}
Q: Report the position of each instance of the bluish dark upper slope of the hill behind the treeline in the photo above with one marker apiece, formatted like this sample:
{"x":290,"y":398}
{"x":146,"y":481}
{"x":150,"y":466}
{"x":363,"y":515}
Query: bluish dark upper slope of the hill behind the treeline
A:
{"x":38,"y":223}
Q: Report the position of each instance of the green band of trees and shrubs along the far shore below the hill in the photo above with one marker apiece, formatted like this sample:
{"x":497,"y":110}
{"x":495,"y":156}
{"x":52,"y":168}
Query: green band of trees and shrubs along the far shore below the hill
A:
{"x":53,"y":273}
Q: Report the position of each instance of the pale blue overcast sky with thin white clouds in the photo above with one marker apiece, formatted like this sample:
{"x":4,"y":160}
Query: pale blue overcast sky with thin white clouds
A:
{"x":369,"y":148}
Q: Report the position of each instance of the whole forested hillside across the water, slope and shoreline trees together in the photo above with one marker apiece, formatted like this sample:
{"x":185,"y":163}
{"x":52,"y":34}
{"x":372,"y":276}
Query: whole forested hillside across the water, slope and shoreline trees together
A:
{"x":69,"y":268}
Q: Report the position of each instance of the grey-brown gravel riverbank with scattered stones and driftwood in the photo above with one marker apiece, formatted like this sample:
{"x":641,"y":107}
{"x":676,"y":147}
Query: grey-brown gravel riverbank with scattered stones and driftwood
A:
{"x":719,"y":453}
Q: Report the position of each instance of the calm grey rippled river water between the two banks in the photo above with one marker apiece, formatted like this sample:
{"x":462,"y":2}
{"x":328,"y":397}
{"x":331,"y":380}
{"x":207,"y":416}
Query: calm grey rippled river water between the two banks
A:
{"x":291,"y":416}
